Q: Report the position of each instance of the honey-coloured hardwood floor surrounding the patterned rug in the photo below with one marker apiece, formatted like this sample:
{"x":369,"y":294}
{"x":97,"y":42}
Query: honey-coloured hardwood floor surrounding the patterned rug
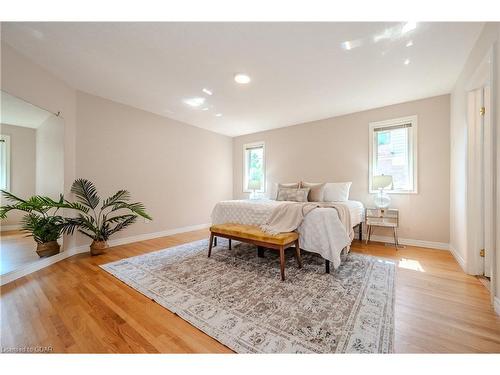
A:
{"x":74,"y":306}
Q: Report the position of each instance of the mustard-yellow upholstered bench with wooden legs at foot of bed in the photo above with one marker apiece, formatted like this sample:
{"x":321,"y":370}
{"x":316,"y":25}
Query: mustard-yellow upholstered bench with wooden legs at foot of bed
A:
{"x":254,"y":235}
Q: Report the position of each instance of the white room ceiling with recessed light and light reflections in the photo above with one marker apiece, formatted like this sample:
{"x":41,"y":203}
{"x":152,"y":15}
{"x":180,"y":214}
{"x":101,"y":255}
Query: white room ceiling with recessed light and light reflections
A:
{"x":299,"y":71}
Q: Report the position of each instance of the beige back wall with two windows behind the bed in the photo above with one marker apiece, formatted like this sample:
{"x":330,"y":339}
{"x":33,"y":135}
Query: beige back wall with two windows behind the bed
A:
{"x":336,"y":149}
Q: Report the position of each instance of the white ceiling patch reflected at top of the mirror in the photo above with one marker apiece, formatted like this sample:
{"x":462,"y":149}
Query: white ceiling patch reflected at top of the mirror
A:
{"x":15,"y":111}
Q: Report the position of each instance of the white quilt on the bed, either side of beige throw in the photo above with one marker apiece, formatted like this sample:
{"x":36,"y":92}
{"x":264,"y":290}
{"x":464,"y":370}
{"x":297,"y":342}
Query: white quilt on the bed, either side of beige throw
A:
{"x":321,"y":231}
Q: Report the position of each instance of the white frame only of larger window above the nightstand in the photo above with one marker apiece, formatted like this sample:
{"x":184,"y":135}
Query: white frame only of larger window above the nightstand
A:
{"x":412,"y":151}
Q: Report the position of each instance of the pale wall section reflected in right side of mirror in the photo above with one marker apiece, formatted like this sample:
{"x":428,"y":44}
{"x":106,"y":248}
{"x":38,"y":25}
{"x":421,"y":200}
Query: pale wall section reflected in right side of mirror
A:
{"x":50,"y":158}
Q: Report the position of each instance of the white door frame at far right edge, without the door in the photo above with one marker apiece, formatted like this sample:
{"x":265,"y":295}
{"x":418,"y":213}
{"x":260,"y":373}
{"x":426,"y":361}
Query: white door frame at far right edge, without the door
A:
{"x":483,"y":76}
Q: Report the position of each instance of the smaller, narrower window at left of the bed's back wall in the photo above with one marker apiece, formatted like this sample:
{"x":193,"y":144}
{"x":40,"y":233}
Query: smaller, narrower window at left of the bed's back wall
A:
{"x":254,"y":166}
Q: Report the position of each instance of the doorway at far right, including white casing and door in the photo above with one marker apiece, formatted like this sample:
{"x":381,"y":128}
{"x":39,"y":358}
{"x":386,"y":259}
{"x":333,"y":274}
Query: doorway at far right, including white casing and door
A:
{"x":481,"y":173}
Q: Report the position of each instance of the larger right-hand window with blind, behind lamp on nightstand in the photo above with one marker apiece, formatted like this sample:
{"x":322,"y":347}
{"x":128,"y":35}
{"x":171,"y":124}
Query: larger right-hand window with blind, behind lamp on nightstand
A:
{"x":393,"y":152}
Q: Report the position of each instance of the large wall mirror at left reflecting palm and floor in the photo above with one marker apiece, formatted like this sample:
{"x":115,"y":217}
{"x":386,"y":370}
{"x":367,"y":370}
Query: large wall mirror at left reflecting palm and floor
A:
{"x":31,"y":164}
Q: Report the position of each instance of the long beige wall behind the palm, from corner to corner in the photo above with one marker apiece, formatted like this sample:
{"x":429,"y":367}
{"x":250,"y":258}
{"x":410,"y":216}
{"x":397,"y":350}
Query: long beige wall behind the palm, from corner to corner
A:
{"x":177,"y":170}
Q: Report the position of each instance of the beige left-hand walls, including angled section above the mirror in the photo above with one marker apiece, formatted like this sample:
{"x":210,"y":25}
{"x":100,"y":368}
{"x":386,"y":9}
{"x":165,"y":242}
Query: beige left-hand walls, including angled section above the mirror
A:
{"x":178,"y":171}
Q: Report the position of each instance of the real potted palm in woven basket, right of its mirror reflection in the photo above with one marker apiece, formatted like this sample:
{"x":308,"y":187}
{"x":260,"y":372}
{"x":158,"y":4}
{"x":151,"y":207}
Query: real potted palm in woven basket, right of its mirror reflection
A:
{"x":97,"y":220}
